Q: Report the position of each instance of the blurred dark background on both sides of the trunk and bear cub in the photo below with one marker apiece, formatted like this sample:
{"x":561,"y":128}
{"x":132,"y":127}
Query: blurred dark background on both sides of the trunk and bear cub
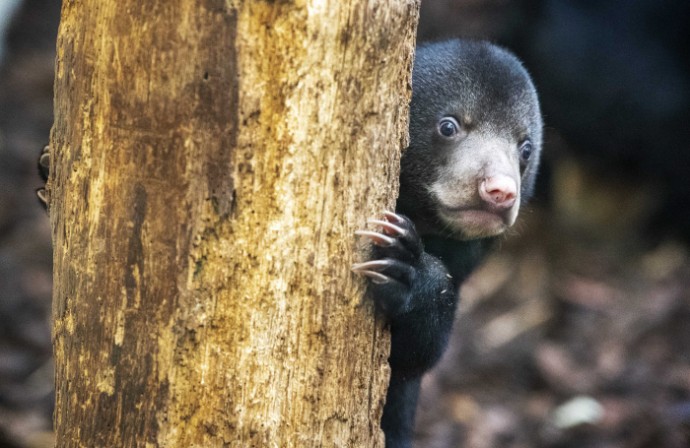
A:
{"x":575,"y":333}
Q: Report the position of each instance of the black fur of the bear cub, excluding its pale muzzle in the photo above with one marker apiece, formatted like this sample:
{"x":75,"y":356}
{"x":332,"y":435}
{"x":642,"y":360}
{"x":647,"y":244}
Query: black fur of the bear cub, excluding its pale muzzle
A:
{"x":420,"y":258}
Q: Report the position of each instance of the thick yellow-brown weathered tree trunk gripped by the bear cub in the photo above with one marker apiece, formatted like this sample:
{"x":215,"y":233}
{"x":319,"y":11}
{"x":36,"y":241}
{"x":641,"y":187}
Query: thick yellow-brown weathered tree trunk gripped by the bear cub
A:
{"x":211,"y":161}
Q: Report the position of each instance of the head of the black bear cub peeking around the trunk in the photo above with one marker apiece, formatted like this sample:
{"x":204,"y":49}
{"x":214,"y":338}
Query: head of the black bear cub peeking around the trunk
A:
{"x":475,"y":141}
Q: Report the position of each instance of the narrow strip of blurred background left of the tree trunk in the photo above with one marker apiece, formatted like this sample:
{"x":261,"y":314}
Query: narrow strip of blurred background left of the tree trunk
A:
{"x":28,"y":29}
